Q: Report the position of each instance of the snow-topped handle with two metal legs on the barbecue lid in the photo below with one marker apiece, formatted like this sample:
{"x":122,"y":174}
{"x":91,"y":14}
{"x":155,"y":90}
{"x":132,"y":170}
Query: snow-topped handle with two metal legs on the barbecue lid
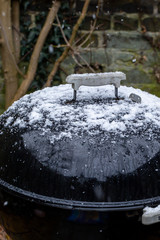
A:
{"x":95,"y":79}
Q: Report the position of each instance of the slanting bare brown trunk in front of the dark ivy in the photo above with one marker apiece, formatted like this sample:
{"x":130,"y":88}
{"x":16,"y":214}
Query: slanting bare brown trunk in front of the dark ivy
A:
{"x":36,"y":52}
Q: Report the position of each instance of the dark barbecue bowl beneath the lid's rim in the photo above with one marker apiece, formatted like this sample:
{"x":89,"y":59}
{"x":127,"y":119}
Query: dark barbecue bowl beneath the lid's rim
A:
{"x":24,"y":220}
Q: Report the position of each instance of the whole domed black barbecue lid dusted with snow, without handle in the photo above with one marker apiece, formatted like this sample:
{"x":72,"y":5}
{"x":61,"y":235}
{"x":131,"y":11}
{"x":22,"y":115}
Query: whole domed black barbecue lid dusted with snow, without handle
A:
{"x":95,"y":153}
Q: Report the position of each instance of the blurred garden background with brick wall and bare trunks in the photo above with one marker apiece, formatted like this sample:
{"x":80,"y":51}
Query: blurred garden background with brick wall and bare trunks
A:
{"x":42,"y":42}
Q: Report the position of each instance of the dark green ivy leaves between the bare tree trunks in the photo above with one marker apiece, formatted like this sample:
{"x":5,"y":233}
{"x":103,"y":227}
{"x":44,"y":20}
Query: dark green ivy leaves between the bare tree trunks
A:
{"x":51,"y":50}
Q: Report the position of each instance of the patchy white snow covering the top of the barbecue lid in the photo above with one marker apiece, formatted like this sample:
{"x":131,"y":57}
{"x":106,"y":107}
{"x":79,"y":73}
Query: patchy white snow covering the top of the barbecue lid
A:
{"x":95,"y":110}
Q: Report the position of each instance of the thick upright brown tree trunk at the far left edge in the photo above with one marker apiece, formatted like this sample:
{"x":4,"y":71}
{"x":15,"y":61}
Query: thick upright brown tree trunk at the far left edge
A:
{"x":10,"y":72}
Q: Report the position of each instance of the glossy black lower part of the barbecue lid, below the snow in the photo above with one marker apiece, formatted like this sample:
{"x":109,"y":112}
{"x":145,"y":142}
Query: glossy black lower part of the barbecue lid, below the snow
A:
{"x":84,"y":174}
